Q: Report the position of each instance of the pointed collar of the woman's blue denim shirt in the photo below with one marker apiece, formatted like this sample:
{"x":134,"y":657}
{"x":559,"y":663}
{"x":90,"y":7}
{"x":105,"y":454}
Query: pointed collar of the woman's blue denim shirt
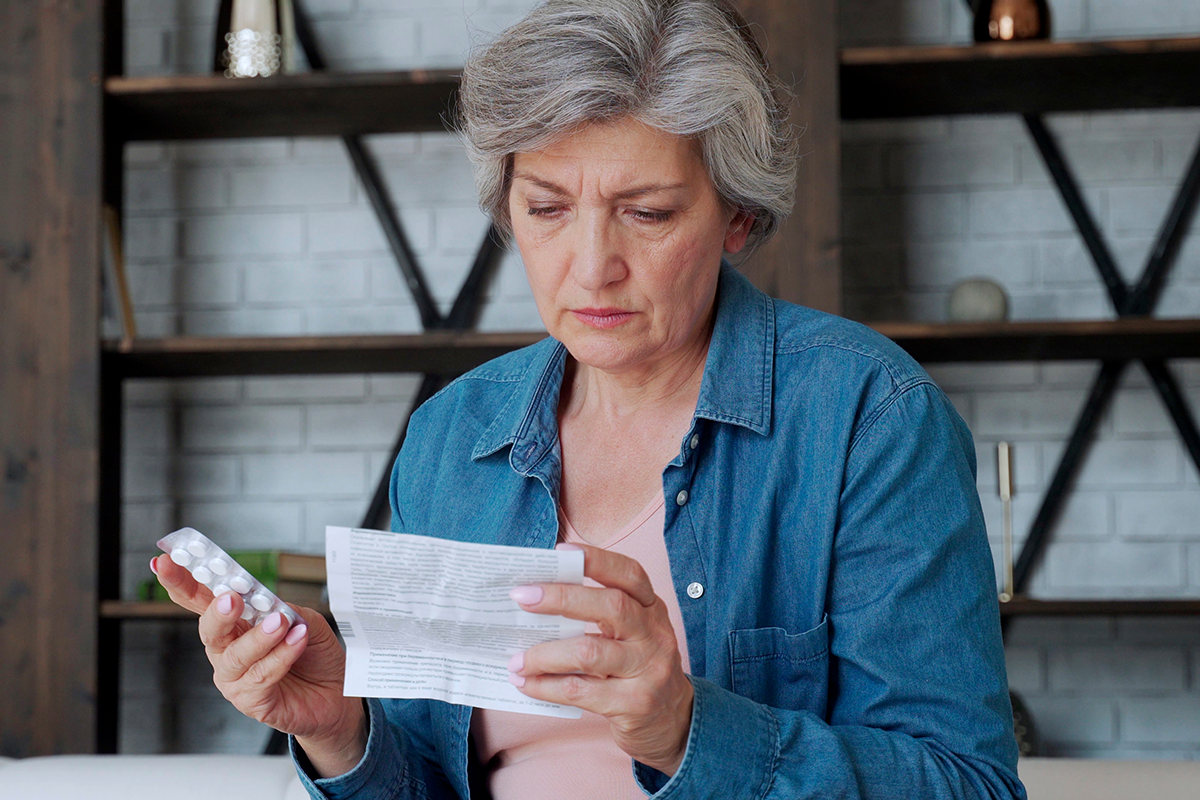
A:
{"x":736,"y":388}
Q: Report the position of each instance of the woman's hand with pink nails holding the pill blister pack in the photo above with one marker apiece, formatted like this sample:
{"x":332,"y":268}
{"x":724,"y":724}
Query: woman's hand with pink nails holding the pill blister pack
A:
{"x":289,"y":679}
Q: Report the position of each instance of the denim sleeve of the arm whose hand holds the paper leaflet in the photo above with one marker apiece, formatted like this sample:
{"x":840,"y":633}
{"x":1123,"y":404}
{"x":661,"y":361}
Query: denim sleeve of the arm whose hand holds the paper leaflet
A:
{"x":919,"y":695}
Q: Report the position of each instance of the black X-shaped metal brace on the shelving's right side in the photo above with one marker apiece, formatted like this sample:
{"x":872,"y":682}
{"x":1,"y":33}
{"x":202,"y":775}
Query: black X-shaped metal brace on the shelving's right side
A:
{"x":1137,"y":300}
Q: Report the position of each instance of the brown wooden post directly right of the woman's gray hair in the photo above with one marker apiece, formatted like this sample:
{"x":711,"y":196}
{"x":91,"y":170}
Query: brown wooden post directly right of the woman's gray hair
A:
{"x":803,"y":264}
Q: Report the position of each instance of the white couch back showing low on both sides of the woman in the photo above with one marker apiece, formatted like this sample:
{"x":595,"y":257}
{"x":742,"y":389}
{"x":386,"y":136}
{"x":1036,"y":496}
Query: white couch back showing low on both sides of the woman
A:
{"x":272,"y":778}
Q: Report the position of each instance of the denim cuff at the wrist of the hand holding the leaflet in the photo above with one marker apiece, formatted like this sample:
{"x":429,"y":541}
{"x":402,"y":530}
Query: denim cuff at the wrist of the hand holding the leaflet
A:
{"x":733,"y":749}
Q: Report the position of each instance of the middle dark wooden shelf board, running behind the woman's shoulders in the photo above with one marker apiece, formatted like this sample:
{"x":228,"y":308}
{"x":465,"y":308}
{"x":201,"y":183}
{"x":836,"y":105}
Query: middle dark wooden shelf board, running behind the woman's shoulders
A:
{"x":449,"y":353}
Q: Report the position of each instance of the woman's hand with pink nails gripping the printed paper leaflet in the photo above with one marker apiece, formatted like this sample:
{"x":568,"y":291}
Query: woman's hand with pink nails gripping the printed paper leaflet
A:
{"x":629,"y":673}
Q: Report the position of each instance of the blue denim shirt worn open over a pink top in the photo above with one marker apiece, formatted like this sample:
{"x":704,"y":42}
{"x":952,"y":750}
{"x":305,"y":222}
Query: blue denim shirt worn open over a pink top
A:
{"x":829,"y":555}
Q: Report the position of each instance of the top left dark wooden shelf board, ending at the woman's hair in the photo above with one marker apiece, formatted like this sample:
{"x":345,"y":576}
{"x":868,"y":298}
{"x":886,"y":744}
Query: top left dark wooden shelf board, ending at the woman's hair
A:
{"x":317,"y":104}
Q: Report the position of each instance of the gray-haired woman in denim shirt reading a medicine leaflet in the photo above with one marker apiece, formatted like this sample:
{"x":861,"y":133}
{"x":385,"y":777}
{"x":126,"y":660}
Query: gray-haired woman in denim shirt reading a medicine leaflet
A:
{"x":790,"y":588}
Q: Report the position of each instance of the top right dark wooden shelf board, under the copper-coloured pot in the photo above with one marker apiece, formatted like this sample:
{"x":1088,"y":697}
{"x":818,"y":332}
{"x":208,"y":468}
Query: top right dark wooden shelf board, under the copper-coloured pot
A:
{"x":1019,"y":77}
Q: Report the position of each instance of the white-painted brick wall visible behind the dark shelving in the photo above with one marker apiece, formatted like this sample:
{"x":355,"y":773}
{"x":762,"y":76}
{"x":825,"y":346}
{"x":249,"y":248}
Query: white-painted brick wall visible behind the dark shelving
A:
{"x":274,"y":237}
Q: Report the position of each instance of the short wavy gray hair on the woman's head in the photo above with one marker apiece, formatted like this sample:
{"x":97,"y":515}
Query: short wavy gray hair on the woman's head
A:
{"x":687,"y":68}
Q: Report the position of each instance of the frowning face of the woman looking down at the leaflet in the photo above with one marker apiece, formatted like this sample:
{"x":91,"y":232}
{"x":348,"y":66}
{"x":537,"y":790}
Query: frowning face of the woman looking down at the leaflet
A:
{"x":622,"y":236}
